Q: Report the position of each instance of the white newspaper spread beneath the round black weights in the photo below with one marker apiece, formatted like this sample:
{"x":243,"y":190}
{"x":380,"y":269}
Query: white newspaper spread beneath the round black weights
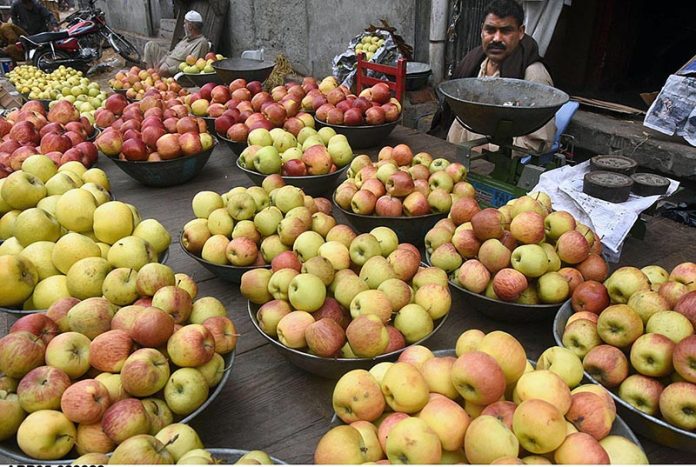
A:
{"x":611,"y":221}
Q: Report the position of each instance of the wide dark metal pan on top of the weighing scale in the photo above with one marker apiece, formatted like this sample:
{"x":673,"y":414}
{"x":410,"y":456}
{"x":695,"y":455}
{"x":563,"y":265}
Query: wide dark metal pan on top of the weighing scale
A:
{"x":502,"y":107}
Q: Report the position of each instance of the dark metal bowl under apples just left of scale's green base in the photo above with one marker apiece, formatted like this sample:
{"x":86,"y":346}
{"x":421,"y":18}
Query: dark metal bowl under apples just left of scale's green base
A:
{"x":408,"y":229}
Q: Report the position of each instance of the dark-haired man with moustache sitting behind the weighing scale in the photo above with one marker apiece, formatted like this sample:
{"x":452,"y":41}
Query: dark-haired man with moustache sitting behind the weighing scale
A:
{"x":507,"y":52}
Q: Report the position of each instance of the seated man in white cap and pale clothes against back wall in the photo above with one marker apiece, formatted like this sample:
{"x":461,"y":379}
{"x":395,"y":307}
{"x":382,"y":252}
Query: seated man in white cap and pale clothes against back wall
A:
{"x":167,"y":63}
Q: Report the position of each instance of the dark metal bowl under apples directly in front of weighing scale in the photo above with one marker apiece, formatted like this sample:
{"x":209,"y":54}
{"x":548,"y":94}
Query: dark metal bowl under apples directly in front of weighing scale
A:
{"x":506,"y":312}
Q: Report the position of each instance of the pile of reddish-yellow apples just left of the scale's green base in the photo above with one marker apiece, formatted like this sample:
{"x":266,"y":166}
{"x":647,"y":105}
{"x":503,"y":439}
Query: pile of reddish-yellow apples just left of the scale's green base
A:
{"x":402,"y":184}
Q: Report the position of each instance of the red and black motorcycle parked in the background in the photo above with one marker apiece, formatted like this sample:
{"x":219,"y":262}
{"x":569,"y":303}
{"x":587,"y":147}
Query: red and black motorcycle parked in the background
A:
{"x":79,"y":44}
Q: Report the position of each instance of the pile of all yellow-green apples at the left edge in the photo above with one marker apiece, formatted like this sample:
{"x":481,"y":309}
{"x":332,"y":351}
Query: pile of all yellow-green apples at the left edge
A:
{"x":63,"y":238}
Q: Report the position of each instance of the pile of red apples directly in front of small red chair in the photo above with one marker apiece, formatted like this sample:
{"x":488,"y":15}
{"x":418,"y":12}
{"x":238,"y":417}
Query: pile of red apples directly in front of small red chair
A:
{"x":374,"y":106}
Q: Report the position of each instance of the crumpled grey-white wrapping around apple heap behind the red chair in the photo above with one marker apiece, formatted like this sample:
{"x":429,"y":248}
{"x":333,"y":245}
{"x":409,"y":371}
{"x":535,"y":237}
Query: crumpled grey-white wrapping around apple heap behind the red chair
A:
{"x":344,"y":65}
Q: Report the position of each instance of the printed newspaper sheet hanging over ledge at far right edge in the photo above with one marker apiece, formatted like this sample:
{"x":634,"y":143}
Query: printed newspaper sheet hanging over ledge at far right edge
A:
{"x":674,"y":110}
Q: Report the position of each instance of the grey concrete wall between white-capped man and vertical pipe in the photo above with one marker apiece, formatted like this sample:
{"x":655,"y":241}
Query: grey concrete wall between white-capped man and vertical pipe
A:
{"x":311,"y":32}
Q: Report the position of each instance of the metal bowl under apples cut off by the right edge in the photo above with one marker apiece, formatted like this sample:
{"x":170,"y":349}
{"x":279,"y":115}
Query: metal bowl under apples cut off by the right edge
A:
{"x":651,"y":427}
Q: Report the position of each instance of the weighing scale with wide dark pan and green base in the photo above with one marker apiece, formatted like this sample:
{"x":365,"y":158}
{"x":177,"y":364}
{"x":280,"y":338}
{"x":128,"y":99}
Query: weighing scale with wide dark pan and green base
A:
{"x":502,"y":108}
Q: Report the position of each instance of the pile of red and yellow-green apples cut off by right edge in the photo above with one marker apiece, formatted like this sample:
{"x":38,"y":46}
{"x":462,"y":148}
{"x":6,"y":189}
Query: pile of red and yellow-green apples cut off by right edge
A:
{"x":635,"y":335}
